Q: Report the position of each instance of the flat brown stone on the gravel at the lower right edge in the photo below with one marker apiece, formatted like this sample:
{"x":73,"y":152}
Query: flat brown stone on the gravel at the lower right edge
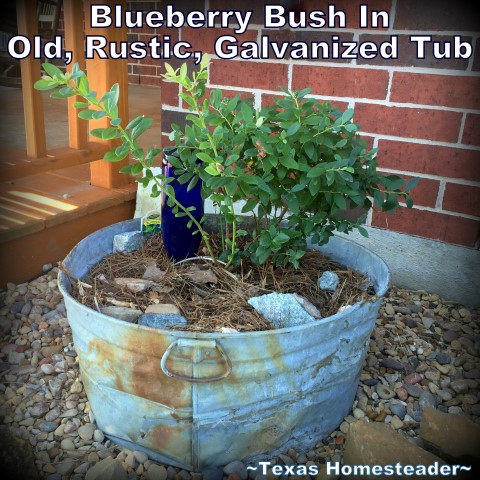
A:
{"x":453,"y":435}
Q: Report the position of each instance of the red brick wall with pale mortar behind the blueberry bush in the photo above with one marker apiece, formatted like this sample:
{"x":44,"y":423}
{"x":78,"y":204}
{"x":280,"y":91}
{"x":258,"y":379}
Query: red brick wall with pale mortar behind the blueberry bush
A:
{"x":422,"y":114}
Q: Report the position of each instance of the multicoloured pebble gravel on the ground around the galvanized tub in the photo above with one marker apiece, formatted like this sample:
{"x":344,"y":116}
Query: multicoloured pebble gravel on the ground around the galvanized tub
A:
{"x":423,"y":352}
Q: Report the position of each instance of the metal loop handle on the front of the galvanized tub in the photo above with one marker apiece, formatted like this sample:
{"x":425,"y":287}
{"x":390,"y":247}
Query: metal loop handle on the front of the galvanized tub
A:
{"x":198,"y":350}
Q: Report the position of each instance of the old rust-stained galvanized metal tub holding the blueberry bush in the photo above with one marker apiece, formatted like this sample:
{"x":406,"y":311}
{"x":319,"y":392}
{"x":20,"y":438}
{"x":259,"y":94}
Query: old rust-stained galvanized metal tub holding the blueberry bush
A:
{"x":195,"y":400}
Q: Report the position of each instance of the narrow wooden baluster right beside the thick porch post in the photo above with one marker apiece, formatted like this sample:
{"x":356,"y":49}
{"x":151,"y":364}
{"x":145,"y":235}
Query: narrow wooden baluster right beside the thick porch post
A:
{"x":74,"y":39}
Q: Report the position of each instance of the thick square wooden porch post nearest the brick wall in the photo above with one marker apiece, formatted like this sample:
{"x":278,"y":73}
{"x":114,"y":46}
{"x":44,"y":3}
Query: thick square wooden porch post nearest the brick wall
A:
{"x":102,"y":74}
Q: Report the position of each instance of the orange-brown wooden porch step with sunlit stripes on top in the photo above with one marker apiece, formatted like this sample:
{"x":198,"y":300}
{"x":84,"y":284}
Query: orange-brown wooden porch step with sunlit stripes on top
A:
{"x":43,"y":216}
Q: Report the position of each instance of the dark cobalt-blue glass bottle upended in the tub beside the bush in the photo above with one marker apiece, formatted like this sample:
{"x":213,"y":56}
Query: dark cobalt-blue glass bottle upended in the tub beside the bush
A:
{"x":179,"y":240}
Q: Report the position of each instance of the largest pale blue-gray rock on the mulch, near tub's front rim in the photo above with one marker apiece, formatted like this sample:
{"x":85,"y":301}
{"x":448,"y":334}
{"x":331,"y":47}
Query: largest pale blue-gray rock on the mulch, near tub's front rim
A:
{"x":281,"y":309}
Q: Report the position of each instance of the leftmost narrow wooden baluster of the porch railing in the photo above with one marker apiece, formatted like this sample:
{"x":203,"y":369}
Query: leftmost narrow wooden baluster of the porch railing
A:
{"x":30,"y":72}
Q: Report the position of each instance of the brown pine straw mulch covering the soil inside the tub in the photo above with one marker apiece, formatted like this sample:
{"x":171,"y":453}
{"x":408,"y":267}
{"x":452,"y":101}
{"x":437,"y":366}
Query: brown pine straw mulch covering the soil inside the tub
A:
{"x":222,"y":302}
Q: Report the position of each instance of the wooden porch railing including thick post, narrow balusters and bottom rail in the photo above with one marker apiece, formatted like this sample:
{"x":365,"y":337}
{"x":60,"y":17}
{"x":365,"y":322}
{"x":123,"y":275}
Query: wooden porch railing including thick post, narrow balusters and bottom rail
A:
{"x":101,"y":73}
